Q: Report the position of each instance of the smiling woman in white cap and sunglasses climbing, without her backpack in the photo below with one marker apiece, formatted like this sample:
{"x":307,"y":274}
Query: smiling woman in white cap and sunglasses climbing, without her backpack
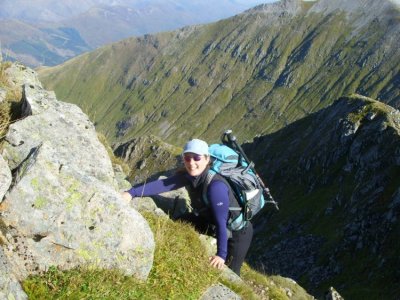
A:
{"x":232,"y":246}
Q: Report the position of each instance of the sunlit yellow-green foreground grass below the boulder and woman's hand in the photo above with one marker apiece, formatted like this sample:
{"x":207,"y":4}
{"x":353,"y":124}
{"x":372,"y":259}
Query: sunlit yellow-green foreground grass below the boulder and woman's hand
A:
{"x":180,"y":271}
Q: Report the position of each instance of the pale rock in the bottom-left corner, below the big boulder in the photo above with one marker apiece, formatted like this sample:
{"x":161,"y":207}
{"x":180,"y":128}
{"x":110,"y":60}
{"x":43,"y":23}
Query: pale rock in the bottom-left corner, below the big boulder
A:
{"x":9,"y":286}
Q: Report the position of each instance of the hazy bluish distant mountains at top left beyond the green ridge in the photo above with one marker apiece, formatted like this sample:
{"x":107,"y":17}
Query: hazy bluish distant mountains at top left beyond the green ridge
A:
{"x":64,"y":29}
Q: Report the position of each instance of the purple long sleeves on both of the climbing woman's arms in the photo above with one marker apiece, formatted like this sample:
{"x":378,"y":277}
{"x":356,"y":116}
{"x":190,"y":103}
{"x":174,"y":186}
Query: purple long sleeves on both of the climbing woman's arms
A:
{"x":217,"y":194}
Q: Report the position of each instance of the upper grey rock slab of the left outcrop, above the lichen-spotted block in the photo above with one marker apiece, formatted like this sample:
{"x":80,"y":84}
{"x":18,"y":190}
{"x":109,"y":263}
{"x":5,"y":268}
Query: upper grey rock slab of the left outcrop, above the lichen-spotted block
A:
{"x":66,"y":128}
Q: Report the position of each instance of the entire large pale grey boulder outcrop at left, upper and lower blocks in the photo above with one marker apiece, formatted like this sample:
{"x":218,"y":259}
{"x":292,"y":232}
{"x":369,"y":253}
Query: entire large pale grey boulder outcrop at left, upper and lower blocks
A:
{"x":64,"y":208}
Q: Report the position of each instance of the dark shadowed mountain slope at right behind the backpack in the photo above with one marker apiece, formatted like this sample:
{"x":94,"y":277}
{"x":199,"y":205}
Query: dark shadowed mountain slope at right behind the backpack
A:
{"x":336,"y":174}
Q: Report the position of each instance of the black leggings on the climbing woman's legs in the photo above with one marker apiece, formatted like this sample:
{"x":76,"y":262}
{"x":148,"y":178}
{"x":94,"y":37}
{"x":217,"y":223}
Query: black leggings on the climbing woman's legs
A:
{"x":238,"y":244}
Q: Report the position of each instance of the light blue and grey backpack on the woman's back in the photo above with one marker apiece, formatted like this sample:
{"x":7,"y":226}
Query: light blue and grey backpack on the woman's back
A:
{"x":243,"y":181}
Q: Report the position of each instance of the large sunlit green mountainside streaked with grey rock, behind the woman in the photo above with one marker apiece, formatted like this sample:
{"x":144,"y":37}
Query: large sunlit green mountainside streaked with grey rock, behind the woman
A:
{"x":266,"y":67}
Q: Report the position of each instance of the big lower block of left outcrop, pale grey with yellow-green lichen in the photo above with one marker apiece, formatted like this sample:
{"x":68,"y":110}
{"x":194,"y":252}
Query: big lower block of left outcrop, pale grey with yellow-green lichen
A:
{"x":66,"y":219}
